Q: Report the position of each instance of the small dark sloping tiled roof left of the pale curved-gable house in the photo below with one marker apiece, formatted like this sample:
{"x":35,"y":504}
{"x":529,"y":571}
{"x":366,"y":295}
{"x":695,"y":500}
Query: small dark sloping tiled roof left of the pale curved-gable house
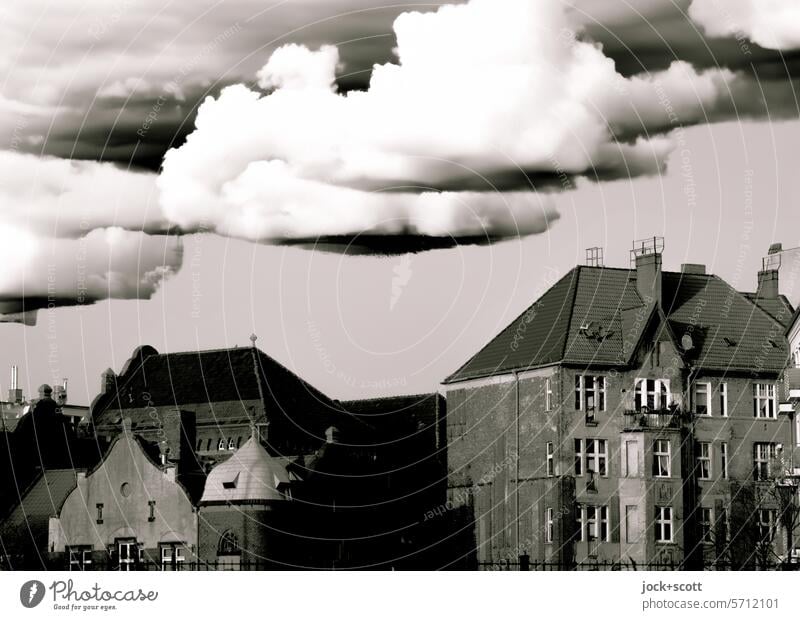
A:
{"x":28,"y":521}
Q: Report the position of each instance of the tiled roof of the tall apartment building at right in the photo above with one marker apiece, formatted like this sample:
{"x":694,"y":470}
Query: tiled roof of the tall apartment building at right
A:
{"x":588,"y":315}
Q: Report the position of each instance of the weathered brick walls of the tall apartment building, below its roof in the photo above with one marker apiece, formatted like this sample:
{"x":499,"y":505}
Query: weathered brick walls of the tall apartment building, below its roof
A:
{"x":485,"y":479}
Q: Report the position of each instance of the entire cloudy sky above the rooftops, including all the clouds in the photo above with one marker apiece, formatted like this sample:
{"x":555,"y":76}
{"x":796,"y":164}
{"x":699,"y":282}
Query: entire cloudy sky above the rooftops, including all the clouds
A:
{"x":497,"y":156}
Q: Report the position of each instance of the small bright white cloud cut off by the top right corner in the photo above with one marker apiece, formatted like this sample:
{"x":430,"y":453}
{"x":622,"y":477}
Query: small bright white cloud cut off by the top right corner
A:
{"x":773,"y":24}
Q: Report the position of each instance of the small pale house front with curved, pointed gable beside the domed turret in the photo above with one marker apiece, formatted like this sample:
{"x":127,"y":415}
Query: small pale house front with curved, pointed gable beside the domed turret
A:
{"x":127,"y":511}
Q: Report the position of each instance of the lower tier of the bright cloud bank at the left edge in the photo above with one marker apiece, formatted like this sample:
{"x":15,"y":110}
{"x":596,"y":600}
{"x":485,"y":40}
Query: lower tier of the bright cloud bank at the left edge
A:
{"x":105,"y":263}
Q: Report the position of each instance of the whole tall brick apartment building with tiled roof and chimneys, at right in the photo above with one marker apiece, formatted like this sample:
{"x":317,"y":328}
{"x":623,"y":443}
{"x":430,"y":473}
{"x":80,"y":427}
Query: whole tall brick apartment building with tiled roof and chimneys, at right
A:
{"x":628,"y":415}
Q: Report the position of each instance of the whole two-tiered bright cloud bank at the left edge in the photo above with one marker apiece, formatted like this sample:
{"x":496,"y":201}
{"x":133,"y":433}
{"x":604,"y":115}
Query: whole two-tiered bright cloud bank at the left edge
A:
{"x":74,"y":233}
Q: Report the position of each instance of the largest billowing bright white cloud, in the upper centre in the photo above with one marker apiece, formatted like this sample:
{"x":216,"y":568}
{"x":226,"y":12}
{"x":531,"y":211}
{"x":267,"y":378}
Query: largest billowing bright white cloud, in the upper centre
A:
{"x":512,"y":97}
